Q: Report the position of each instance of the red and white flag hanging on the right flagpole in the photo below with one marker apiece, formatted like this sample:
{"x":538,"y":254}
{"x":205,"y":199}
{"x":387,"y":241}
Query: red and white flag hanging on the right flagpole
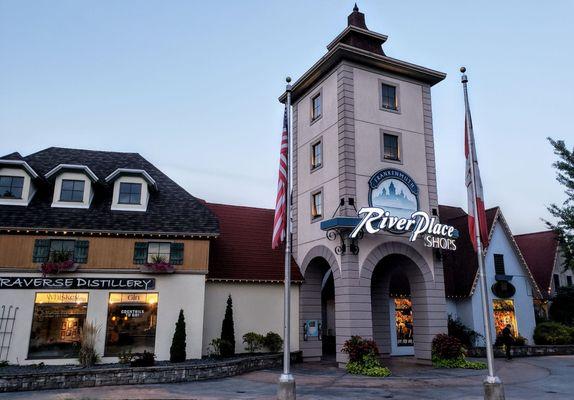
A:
{"x":471,"y":160}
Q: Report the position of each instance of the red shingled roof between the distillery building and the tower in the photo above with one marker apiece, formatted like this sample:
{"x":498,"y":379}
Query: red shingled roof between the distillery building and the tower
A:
{"x":242,"y":252}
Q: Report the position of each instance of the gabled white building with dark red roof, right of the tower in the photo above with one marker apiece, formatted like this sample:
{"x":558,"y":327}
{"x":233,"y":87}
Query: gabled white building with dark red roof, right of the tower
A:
{"x":511,"y":287}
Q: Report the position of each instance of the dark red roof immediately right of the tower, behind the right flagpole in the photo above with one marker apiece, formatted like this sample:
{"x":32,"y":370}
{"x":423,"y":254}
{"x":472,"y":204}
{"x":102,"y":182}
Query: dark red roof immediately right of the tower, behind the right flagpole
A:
{"x":461,"y":266}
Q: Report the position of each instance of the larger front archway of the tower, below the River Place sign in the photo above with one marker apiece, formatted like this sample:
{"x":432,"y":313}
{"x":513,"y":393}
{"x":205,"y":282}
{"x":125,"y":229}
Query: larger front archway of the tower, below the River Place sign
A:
{"x":407,"y":301}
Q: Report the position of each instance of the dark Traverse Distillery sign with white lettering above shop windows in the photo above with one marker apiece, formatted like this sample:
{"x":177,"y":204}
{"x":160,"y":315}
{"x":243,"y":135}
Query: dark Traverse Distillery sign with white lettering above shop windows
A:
{"x":76,"y":283}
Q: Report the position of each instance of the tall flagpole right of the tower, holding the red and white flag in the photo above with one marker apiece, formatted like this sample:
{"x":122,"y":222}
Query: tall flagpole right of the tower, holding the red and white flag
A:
{"x":493,"y":384}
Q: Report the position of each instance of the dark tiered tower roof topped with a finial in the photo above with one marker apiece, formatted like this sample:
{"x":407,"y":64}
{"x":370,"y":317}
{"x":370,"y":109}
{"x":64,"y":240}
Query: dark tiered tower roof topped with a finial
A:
{"x":357,"y":44}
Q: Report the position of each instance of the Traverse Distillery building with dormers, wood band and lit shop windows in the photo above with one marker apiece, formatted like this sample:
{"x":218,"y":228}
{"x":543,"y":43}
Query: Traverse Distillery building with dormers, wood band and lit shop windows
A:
{"x":103,"y":238}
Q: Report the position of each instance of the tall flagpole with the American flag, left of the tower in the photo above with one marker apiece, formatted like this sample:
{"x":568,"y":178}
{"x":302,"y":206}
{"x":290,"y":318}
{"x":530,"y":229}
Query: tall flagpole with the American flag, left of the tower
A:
{"x":286,"y":389}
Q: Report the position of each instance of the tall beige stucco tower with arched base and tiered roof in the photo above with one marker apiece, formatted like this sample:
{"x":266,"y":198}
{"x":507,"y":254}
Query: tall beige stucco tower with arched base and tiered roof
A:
{"x":358,"y":113}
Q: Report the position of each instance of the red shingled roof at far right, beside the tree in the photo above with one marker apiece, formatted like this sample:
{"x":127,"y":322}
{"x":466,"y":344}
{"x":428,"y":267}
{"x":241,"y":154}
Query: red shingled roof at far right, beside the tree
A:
{"x":539,"y":251}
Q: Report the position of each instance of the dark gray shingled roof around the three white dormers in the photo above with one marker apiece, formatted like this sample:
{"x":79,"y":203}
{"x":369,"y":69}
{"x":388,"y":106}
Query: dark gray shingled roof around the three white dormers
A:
{"x":170,"y":209}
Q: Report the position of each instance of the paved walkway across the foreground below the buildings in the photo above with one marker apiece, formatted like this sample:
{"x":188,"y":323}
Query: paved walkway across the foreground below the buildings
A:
{"x":525,"y":378}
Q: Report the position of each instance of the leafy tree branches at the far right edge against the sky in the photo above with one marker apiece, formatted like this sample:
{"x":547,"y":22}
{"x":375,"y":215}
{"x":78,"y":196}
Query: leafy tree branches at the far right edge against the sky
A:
{"x":564,"y":228}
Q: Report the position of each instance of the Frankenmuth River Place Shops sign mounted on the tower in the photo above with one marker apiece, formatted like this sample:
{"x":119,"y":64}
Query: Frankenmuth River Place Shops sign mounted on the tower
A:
{"x":394,"y":207}
